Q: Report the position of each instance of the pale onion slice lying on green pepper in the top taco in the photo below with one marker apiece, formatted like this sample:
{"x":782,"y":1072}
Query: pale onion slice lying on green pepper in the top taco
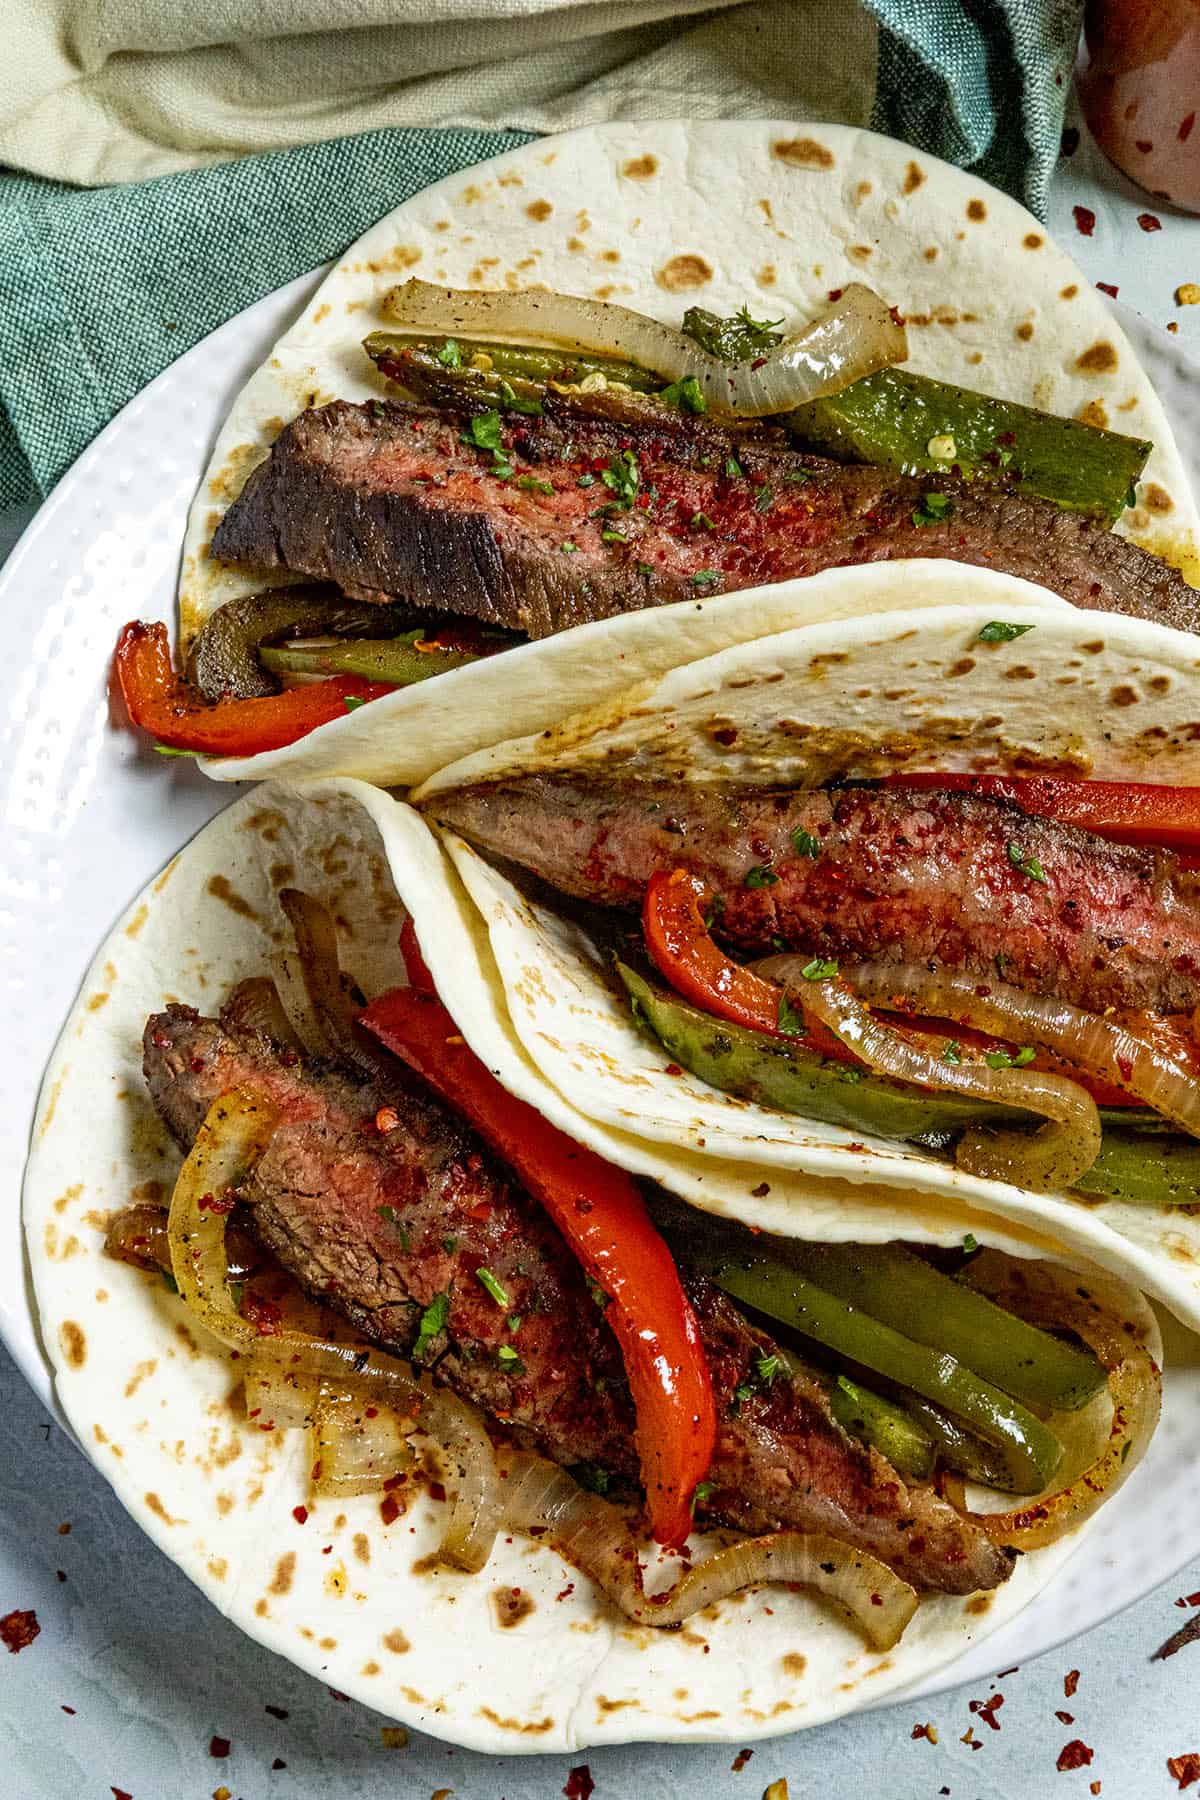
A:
{"x":855,"y":337}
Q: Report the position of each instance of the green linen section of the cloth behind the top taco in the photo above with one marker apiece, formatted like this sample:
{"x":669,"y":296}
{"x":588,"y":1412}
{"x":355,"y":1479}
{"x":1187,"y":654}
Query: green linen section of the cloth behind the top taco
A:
{"x":102,"y":289}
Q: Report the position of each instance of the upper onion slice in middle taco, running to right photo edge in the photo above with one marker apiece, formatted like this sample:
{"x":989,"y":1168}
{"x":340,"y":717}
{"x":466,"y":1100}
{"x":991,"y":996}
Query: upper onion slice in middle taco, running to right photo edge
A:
{"x":1104,"y":1048}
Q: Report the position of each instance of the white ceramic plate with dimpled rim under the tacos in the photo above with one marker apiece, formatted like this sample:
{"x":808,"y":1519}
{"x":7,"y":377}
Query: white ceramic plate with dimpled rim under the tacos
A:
{"x":89,"y":816}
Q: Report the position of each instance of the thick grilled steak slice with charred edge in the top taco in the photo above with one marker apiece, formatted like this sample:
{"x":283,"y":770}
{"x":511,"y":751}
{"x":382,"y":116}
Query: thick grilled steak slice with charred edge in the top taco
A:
{"x":388,"y":501}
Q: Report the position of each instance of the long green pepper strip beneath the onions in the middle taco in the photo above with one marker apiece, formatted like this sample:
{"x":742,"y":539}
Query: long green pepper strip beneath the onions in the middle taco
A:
{"x":1142,"y":1160}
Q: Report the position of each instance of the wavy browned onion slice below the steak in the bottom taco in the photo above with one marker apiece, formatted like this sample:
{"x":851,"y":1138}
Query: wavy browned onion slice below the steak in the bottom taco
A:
{"x":595,"y":1536}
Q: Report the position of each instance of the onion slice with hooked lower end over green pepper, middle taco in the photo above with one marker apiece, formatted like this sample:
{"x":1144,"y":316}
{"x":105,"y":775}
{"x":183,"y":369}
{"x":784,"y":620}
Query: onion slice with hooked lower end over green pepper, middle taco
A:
{"x":1050,"y":1158}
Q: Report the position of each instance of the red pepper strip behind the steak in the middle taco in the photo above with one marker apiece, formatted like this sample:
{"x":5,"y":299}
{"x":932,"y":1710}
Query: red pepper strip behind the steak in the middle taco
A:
{"x":1131,"y":813}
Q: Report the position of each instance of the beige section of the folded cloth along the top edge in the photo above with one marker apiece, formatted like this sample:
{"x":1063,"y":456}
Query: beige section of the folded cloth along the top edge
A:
{"x":116,"y":91}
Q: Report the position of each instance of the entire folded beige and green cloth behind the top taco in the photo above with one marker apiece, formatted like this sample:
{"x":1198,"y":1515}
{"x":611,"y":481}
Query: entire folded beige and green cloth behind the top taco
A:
{"x":103,"y":289}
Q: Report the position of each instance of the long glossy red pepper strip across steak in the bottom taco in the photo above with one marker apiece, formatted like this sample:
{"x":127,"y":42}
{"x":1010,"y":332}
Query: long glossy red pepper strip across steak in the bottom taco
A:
{"x":604,"y":1218}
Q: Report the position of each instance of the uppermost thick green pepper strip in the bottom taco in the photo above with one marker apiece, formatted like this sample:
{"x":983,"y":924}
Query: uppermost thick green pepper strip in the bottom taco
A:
{"x":927,"y":1306}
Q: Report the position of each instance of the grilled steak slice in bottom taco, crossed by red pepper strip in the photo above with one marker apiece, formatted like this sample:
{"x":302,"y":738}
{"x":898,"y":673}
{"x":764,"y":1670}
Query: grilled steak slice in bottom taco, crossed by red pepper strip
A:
{"x":377,"y":1223}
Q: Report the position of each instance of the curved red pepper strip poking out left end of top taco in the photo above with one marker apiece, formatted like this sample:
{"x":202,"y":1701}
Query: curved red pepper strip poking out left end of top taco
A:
{"x":163,"y":705}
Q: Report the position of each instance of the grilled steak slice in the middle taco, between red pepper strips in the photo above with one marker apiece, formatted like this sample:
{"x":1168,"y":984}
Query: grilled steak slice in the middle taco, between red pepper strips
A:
{"x":902,"y":874}
